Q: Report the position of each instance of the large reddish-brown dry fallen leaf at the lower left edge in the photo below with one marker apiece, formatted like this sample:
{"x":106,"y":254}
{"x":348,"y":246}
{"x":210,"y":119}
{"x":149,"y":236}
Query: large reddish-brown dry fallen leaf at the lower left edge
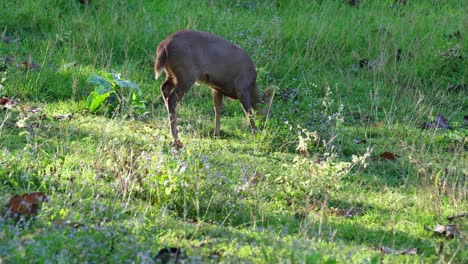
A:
{"x":25,"y":205}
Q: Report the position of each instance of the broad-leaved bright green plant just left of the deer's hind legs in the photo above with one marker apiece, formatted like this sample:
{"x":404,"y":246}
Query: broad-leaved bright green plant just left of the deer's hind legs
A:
{"x":114,"y":95}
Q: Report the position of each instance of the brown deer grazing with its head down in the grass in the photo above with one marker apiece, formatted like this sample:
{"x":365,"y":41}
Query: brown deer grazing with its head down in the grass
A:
{"x":192,"y":56}
